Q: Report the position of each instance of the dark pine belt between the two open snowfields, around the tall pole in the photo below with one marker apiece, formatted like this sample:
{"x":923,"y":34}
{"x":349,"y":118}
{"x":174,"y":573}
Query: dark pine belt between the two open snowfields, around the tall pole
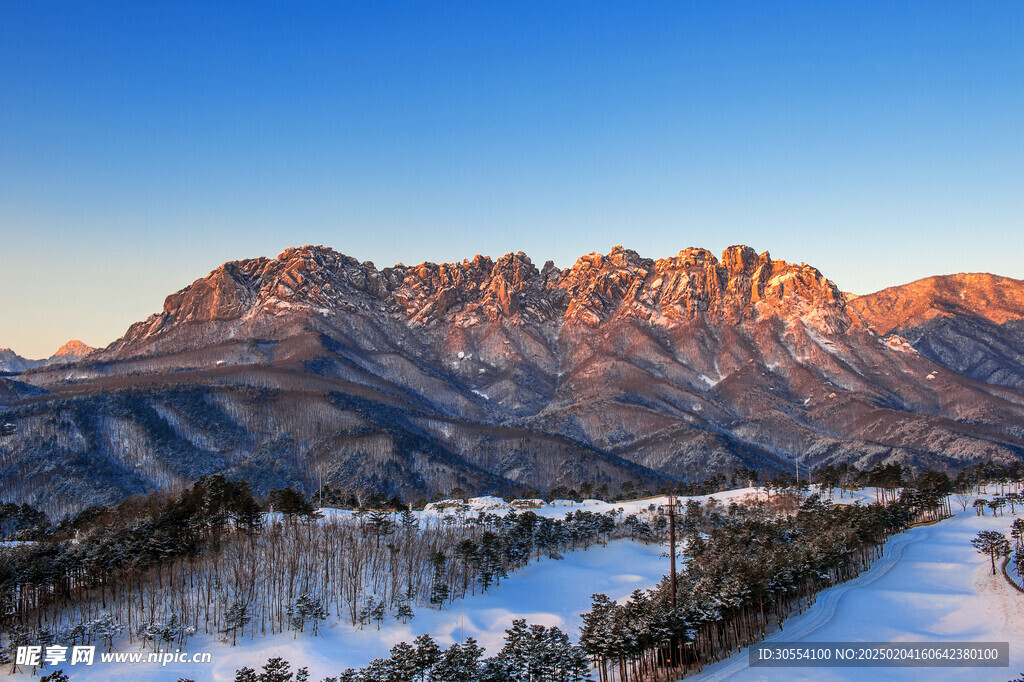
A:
{"x":748,"y":569}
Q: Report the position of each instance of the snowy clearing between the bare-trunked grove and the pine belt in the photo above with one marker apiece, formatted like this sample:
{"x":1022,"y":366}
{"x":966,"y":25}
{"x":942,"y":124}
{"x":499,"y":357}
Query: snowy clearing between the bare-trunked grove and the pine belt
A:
{"x":552,"y":593}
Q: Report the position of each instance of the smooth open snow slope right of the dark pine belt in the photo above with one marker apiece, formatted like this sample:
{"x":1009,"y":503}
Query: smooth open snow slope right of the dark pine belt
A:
{"x":931,"y":586}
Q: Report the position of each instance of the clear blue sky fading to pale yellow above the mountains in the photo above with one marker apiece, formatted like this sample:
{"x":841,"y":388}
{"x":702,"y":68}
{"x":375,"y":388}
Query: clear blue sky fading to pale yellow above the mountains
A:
{"x":142,"y":145}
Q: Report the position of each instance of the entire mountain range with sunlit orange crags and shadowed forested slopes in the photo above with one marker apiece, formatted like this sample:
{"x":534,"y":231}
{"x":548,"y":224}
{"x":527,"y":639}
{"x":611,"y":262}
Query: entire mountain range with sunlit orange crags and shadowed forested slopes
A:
{"x":316,"y":370}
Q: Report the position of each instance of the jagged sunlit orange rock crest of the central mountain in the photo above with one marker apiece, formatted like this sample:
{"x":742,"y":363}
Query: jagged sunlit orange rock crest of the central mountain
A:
{"x":318,"y":281}
